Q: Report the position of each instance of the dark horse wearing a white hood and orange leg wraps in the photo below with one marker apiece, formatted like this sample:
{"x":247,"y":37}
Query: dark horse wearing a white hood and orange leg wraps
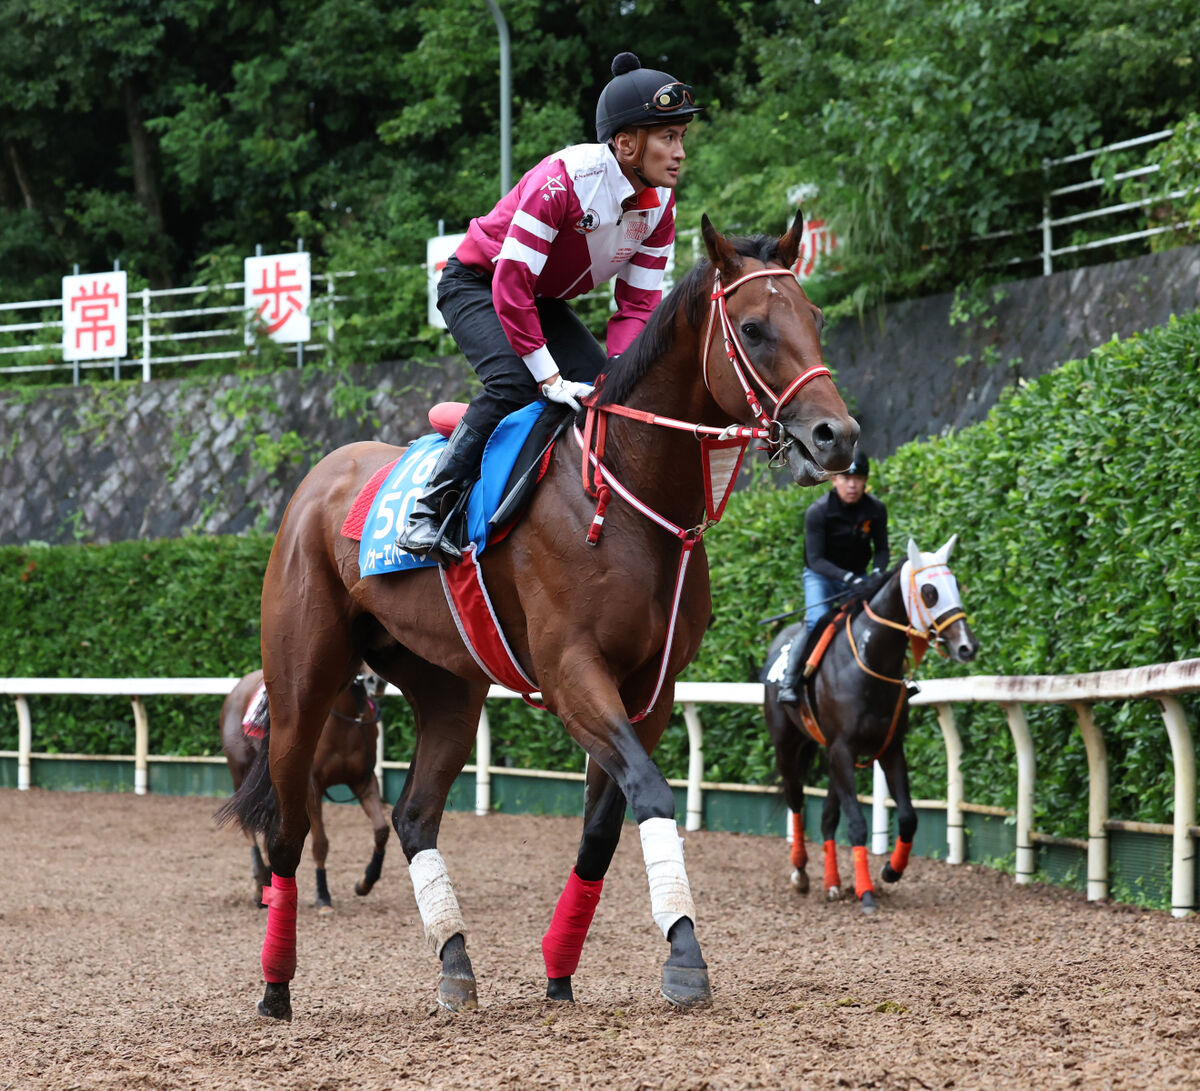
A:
{"x":855,"y":704}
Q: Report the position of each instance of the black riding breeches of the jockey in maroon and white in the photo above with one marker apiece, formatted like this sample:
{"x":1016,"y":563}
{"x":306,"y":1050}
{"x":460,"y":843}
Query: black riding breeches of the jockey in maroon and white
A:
{"x":465,"y":299}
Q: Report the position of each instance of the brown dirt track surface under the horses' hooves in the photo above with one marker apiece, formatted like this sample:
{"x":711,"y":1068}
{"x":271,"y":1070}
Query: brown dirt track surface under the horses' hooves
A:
{"x":129,"y":951}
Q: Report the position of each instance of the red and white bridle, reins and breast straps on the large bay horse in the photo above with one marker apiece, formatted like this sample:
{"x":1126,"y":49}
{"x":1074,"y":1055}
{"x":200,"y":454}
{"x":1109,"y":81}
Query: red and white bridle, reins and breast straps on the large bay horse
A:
{"x":722,"y":451}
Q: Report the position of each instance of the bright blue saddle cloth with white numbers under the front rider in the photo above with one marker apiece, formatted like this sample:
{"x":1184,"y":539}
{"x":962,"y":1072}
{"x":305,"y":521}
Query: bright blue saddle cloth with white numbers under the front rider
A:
{"x":403,"y":488}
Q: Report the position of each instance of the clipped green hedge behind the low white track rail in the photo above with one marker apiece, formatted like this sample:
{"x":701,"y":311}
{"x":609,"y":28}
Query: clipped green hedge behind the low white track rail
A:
{"x":1077,"y":505}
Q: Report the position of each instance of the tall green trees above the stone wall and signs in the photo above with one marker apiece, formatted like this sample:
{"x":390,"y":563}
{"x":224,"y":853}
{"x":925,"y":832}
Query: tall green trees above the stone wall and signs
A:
{"x":176,"y":136}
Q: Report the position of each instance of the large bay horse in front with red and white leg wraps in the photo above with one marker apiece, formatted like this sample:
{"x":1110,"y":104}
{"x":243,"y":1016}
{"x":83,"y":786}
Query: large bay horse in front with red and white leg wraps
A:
{"x":602,"y":622}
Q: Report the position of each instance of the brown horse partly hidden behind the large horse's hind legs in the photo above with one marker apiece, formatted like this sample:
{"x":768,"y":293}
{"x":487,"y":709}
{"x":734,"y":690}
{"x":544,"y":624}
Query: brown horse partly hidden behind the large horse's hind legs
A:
{"x":345,"y":756}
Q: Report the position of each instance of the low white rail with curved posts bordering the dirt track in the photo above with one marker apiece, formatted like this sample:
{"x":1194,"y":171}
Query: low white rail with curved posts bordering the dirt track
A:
{"x":1161,"y":682}
